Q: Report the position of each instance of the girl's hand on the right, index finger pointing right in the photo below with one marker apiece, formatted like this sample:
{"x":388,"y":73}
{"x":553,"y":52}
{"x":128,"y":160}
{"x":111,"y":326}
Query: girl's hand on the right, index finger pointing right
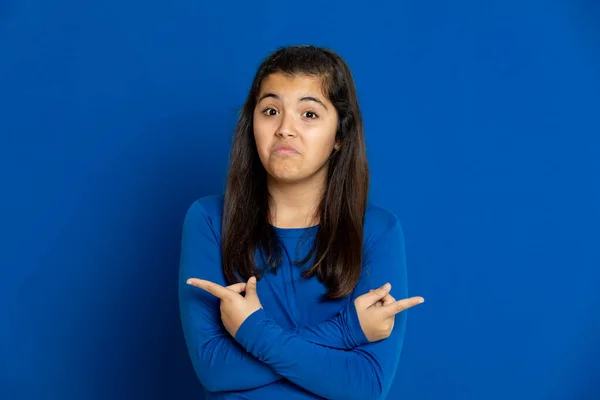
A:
{"x":377,"y":310}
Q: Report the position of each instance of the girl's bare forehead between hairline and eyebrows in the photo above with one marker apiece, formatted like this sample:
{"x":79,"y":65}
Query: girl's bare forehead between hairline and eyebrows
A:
{"x":291,"y":85}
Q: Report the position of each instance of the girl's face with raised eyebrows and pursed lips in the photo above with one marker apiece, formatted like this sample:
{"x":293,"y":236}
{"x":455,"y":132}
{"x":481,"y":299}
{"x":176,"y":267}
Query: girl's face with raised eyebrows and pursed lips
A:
{"x":294,"y":128}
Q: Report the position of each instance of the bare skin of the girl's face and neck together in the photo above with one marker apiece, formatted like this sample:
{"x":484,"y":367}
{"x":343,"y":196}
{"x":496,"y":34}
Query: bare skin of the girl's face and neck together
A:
{"x":294,"y":112}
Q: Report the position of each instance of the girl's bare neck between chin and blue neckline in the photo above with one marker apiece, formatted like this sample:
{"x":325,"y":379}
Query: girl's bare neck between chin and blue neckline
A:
{"x":294,"y":205}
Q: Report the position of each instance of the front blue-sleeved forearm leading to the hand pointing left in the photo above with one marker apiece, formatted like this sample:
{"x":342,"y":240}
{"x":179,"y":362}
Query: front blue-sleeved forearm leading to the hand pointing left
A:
{"x":356,"y":374}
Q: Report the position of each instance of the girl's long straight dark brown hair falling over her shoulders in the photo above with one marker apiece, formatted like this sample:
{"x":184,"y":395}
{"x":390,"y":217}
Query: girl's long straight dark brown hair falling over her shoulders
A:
{"x":339,"y":239}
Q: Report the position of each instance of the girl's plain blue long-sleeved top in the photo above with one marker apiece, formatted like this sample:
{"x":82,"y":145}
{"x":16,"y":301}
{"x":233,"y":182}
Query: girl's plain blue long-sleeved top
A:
{"x":297,"y":346}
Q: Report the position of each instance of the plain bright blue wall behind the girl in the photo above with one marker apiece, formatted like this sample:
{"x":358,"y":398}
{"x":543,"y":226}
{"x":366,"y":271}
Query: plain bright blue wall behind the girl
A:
{"x":482,"y":130}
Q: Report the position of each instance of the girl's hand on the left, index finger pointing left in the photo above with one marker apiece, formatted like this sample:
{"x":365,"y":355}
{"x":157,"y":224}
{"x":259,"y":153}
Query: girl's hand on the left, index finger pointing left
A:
{"x":235,"y":308}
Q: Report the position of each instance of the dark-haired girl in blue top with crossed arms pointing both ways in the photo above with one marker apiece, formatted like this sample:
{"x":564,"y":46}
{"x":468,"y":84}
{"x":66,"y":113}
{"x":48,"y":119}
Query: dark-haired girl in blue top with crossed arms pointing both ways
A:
{"x":294,"y":263}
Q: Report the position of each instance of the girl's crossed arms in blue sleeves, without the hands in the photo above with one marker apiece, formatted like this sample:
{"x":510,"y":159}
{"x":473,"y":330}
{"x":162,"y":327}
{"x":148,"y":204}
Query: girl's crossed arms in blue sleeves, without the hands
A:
{"x":262,"y":352}
